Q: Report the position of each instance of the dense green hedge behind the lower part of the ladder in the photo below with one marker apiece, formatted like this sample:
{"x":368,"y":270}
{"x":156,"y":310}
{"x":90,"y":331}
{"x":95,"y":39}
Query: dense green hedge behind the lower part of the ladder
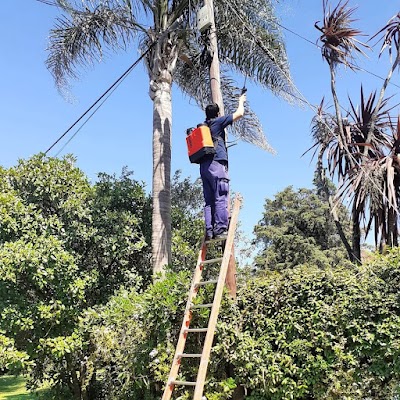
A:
{"x":305,"y":333}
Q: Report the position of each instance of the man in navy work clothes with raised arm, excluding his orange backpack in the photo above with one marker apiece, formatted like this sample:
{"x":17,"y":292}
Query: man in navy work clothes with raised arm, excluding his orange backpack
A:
{"x":214,"y":171}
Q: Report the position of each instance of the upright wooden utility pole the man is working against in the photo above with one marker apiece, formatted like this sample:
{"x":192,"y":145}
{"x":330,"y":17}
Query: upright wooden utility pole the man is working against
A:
{"x":216,"y":94}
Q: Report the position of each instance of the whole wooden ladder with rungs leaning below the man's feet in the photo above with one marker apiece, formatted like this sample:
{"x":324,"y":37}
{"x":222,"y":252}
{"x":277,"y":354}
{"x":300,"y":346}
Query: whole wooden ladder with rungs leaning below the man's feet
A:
{"x":215,"y":305}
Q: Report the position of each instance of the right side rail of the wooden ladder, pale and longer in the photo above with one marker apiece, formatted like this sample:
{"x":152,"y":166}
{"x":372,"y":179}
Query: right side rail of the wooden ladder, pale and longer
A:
{"x":202,"y":372}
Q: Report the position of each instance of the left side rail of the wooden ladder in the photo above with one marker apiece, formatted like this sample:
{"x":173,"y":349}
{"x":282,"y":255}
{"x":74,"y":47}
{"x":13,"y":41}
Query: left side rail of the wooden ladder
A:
{"x":176,"y":362}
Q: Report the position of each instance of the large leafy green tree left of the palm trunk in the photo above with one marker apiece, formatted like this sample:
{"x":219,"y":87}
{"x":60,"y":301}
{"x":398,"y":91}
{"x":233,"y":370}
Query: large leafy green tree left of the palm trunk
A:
{"x":64,"y":246}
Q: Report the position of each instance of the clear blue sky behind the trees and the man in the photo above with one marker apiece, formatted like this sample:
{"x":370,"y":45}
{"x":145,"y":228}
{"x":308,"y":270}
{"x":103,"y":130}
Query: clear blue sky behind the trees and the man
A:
{"x":33,"y":114}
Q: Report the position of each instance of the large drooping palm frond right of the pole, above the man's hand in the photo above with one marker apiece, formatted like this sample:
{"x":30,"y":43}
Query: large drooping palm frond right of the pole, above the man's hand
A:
{"x":250,"y":42}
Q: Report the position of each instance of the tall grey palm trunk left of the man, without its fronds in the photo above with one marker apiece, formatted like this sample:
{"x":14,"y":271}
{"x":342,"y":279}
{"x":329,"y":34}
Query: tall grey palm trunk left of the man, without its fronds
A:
{"x":161,"y":190}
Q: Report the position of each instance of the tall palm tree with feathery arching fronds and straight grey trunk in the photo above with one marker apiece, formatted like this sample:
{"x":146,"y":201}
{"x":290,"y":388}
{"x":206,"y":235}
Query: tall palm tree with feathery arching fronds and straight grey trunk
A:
{"x":174,"y":51}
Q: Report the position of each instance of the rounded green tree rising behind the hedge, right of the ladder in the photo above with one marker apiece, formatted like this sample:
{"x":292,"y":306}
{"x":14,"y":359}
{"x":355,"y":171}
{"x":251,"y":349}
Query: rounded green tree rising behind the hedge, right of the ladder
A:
{"x":297,"y":227}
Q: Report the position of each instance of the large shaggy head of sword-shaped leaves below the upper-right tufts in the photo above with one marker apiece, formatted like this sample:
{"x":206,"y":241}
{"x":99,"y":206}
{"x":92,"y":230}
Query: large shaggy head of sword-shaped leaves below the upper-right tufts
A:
{"x":364,"y":181}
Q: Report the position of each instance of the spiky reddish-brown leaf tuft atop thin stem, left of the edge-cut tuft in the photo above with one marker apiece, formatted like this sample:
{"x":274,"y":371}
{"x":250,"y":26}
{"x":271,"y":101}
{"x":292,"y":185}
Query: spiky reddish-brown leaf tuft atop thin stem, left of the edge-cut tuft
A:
{"x":338,"y":37}
